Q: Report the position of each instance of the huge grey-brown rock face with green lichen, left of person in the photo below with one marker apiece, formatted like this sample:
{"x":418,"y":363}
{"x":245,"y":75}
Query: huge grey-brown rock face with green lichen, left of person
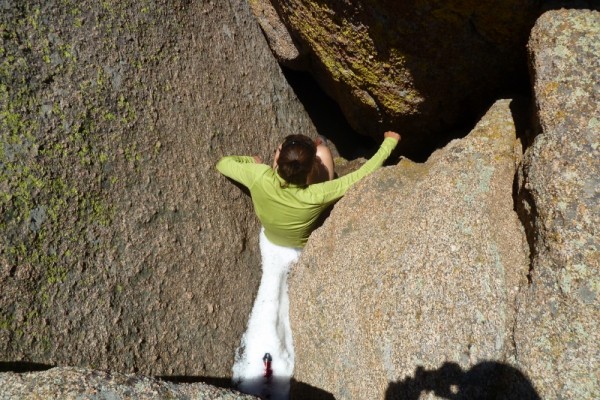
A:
{"x":120,"y":245}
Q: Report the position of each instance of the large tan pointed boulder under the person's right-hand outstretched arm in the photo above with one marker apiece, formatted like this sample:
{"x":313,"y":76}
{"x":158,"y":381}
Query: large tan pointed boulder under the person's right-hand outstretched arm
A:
{"x":417,"y":269}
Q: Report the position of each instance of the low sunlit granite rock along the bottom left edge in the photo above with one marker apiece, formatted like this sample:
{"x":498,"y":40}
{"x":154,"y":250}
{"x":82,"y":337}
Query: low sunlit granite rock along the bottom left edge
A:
{"x":79,"y":383}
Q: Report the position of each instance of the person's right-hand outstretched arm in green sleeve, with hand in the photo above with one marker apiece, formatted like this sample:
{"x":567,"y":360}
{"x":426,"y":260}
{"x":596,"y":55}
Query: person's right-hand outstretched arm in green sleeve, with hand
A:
{"x":333,"y":190}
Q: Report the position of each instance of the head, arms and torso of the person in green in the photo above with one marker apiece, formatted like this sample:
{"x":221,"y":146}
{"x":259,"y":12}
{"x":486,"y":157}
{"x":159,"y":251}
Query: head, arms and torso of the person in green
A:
{"x":286,"y":205}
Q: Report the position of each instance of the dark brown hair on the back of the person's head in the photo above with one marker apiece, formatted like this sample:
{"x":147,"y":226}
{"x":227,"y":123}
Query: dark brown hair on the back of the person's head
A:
{"x":296,"y":159}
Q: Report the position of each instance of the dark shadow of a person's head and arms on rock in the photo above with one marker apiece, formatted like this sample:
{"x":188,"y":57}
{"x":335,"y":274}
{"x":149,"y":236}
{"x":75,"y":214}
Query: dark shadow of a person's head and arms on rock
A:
{"x":485,"y":381}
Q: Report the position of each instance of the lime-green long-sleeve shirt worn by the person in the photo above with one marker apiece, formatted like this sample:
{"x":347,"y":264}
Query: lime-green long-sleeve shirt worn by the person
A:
{"x":288,"y":212}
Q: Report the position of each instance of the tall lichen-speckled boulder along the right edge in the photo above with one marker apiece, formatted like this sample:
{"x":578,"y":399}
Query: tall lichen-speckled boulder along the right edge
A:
{"x":558,"y":331}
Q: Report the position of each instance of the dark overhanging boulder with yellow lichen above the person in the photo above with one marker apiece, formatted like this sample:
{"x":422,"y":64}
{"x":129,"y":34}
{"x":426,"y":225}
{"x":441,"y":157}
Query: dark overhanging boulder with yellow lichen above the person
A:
{"x":419,"y":67}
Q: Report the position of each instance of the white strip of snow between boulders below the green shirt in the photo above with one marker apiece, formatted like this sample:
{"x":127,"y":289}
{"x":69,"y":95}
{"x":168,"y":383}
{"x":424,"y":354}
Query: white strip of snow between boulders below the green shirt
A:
{"x":268,"y":328}
